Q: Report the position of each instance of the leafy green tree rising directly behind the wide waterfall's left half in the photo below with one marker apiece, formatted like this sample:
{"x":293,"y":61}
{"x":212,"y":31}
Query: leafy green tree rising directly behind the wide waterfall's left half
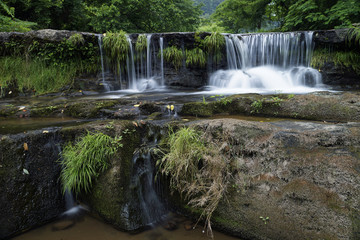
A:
{"x":241,"y":15}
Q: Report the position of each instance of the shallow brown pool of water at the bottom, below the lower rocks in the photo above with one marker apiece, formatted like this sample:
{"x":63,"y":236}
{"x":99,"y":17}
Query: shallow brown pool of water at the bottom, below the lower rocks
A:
{"x":90,"y":228}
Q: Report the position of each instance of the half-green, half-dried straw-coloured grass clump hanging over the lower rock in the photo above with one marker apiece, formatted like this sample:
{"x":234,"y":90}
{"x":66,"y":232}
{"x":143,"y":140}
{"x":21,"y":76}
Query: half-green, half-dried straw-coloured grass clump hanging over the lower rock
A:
{"x":196,"y":169}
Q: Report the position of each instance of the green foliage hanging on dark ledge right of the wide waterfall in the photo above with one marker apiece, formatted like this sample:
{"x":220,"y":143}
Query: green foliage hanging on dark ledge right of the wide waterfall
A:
{"x":342,"y":59}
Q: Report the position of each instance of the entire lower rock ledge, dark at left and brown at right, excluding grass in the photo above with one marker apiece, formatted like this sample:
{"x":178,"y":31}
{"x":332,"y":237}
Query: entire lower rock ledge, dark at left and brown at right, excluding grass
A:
{"x":303,"y":176}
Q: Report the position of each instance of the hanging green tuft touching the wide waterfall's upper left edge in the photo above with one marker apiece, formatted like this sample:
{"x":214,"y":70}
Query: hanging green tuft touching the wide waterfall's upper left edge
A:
{"x":214,"y":44}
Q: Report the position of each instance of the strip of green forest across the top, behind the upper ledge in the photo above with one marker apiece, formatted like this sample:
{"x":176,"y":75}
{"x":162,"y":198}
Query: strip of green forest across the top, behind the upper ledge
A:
{"x":140,"y":16}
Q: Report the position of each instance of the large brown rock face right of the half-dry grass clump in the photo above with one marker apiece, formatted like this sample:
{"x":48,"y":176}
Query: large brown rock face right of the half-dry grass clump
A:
{"x":290,"y":180}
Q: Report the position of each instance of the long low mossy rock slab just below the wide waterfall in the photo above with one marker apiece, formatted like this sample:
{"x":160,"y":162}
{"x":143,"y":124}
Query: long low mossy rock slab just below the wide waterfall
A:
{"x":322,"y":106}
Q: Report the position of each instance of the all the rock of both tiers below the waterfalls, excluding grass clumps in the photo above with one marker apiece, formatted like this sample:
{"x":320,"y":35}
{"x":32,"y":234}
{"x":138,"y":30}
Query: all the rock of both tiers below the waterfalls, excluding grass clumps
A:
{"x":302,"y":177}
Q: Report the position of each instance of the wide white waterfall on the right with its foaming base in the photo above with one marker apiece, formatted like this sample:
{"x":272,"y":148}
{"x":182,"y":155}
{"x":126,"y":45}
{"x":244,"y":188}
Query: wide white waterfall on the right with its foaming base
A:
{"x":268,"y":62}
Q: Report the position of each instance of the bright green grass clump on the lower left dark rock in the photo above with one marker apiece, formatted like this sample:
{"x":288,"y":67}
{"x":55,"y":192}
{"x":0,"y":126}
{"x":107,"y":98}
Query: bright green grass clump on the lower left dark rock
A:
{"x":83,"y":161}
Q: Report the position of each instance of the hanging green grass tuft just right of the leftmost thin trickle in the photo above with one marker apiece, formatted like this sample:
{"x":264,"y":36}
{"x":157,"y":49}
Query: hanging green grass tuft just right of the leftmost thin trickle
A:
{"x":116,"y":46}
